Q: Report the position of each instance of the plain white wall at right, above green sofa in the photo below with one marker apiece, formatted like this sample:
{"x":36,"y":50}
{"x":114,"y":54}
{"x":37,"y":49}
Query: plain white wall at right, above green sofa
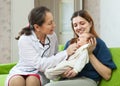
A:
{"x":110,"y":22}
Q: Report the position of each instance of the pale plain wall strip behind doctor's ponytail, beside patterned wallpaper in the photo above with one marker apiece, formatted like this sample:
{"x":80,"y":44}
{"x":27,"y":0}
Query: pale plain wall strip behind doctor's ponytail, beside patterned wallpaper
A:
{"x":19,"y":14}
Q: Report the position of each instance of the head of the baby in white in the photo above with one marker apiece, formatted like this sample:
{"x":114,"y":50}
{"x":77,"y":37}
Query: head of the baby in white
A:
{"x":84,"y":38}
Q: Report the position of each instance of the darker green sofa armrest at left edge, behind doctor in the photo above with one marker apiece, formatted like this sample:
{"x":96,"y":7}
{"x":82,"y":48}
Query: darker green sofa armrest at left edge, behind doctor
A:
{"x":5,"y":68}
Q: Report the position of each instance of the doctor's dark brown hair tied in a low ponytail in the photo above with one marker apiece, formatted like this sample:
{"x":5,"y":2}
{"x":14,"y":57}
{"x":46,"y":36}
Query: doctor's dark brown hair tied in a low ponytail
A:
{"x":36,"y":16}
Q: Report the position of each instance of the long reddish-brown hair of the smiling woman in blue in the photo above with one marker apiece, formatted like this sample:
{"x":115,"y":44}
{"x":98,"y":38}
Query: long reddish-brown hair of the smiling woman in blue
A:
{"x":84,"y":14}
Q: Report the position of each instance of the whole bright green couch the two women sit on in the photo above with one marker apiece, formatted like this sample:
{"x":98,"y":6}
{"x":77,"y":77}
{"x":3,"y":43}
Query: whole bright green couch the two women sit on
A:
{"x":114,"y":81}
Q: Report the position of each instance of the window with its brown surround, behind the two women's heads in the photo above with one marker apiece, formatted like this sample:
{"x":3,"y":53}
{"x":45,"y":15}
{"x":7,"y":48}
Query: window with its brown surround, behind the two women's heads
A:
{"x":62,"y":11}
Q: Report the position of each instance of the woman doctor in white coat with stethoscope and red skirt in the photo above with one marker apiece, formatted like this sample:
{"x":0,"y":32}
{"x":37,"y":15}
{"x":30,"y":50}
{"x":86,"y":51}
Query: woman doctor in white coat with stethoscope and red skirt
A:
{"x":37,"y":45}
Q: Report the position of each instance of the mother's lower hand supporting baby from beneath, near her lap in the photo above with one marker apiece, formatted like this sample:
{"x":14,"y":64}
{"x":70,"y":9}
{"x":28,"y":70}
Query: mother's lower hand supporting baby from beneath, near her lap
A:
{"x":70,"y":73}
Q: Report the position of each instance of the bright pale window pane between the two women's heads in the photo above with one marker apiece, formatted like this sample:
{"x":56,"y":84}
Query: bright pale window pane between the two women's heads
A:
{"x":66,"y":9}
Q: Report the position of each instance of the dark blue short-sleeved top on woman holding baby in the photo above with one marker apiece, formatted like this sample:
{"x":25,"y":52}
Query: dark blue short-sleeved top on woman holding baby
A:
{"x":103,"y":54}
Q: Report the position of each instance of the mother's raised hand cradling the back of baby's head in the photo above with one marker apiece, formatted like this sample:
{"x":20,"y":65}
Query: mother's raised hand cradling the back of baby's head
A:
{"x":92,"y":46}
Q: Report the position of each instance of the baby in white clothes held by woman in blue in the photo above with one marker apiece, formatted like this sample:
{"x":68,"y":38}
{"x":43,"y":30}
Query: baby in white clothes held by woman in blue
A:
{"x":77,"y":61}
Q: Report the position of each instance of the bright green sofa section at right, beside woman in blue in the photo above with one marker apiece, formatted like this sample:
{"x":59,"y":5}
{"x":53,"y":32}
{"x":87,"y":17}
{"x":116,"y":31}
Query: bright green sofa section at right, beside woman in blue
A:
{"x":114,"y":81}
